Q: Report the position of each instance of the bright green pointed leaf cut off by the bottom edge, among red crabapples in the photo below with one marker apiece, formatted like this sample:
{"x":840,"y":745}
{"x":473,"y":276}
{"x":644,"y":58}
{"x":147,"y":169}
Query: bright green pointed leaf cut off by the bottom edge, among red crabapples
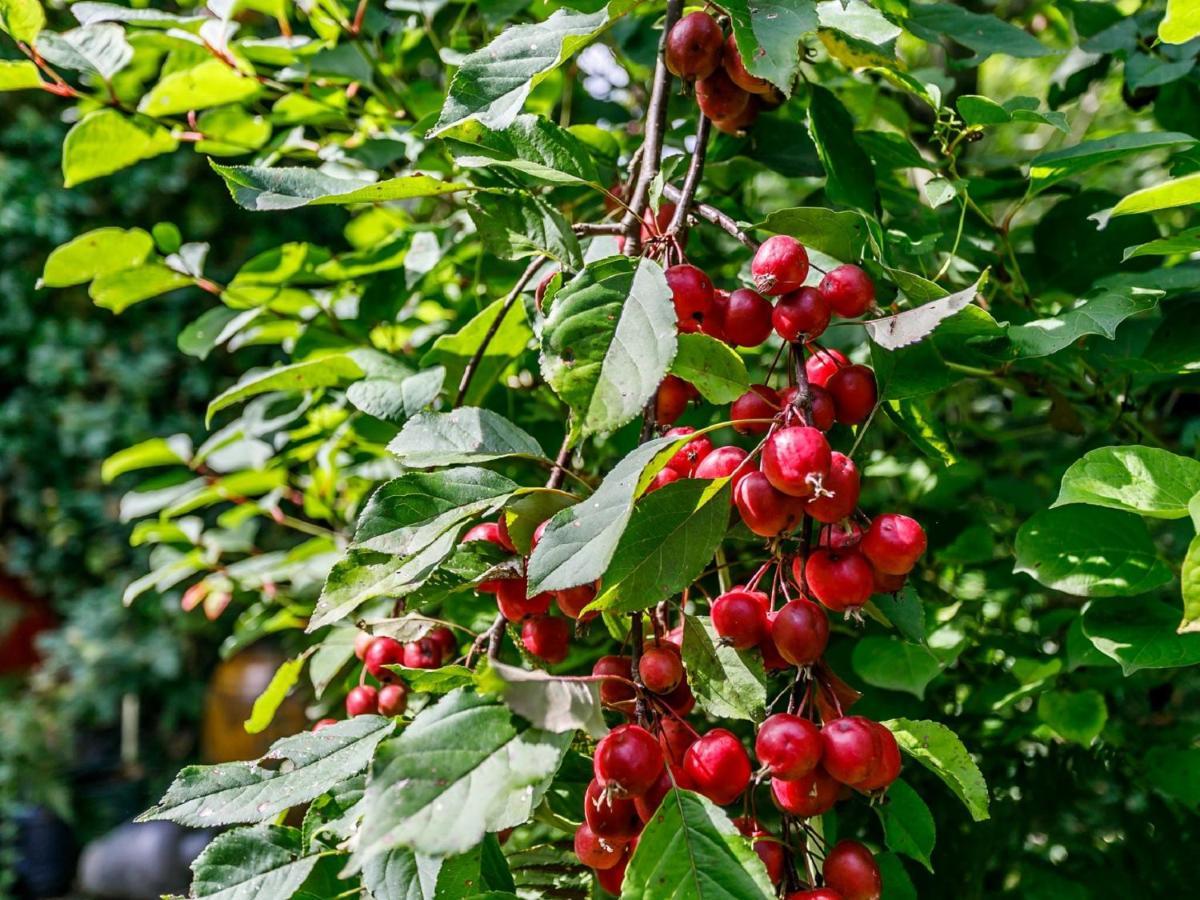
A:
{"x":692,"y":851}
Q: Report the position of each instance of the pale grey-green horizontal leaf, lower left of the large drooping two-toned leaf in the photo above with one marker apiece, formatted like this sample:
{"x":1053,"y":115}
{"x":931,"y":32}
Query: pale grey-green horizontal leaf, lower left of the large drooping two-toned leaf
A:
{"x":467,"y":435}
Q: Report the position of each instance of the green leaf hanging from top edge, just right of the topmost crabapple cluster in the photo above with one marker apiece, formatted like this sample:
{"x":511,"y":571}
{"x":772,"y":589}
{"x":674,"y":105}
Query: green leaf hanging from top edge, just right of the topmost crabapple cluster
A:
{"x":770,"y":34}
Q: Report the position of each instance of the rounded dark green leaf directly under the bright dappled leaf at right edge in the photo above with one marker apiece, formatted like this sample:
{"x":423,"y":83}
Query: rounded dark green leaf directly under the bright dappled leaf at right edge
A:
{"x":1090,"y":553}
